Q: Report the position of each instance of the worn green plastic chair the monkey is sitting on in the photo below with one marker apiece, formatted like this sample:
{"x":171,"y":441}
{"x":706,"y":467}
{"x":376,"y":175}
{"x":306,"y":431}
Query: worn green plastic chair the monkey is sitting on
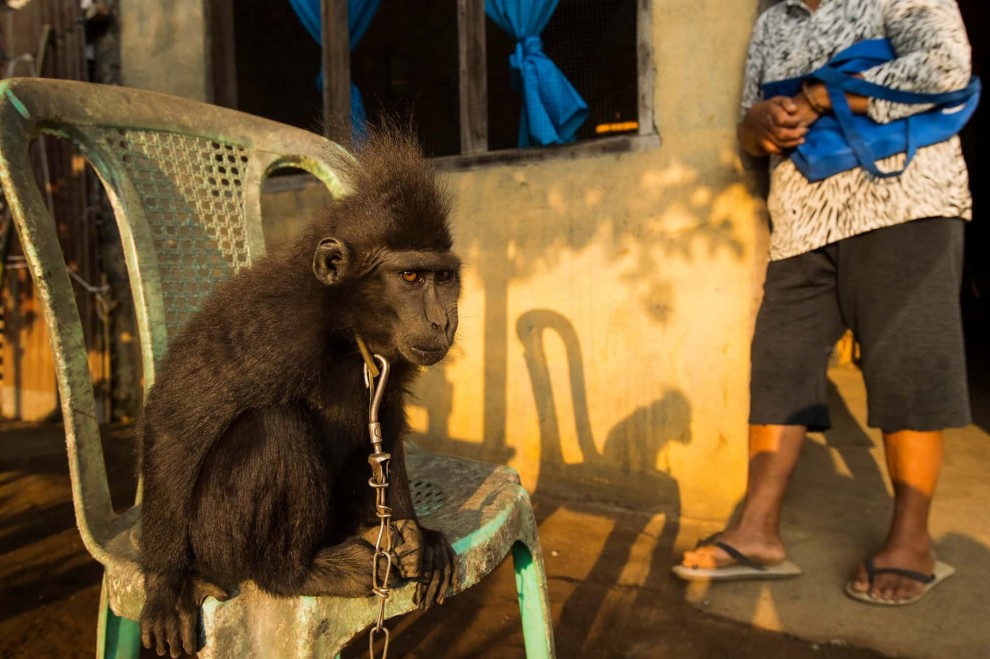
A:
{"x":185,"y":181}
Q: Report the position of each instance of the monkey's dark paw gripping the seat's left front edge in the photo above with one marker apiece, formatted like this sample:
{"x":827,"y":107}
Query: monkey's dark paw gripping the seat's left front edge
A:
{"x":170,"y":614}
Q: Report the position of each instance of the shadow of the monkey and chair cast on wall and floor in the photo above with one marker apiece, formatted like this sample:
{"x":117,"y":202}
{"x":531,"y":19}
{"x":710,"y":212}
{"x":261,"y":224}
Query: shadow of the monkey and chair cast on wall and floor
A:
{"x":624,"y":472}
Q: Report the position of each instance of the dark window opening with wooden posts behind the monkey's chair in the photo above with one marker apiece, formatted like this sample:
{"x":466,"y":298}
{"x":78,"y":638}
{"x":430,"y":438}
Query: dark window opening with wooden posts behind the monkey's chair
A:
{"x":445,"y":64}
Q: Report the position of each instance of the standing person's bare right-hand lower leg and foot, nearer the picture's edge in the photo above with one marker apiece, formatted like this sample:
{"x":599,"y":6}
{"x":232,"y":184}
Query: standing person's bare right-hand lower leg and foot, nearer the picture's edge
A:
{"x":914,"y":460}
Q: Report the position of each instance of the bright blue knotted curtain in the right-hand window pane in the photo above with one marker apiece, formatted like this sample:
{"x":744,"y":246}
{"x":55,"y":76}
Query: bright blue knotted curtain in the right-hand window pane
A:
{"x":552,"y":109}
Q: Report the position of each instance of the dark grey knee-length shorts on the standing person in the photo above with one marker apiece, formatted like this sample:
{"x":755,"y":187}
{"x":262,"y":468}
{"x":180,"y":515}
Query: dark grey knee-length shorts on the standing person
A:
{"x":897,"y":289}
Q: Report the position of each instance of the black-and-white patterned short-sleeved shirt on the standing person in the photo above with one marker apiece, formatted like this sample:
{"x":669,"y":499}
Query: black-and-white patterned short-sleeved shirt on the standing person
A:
{"x":933,"y":55}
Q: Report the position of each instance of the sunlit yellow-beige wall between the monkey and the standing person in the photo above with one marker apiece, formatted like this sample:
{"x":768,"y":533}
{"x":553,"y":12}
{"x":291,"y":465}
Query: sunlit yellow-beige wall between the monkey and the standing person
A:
{"x":618,"y":290}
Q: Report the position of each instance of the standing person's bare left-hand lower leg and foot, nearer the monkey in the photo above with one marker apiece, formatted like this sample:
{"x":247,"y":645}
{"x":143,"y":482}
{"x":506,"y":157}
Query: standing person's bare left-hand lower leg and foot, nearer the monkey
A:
{"x":773,"y":454}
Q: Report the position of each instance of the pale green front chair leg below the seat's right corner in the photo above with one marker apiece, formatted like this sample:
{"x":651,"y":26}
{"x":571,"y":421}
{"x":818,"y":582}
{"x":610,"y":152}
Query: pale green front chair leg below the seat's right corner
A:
{"x":534,"y":602}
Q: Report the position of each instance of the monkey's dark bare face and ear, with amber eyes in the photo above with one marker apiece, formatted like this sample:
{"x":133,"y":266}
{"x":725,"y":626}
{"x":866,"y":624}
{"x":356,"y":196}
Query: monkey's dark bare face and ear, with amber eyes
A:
{"x":408,"y":299}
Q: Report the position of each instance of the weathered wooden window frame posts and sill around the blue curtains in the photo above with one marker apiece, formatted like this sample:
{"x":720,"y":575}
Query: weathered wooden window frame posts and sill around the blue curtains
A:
{"x":473,"y":89}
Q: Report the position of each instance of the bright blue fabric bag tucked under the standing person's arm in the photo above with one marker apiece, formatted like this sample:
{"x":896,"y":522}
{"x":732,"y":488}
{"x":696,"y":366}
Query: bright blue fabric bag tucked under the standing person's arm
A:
{"x":842,"y":141}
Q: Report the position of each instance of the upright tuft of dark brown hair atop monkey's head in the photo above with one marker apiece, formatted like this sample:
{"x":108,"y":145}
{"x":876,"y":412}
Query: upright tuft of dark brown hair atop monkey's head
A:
{"x":396,"y":199}
